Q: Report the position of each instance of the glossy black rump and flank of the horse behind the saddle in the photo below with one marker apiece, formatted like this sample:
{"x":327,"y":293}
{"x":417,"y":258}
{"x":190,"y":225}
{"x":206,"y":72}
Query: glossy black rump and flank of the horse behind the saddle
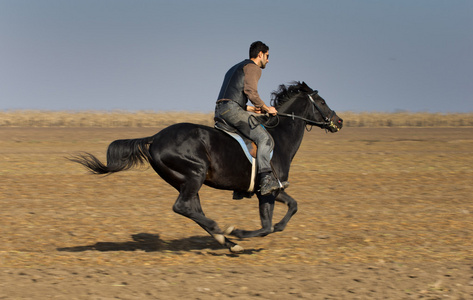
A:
{"x":196,"y":146}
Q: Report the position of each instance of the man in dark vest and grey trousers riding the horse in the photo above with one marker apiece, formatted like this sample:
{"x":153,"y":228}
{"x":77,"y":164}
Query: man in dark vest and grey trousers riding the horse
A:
{"x":240,"y":85}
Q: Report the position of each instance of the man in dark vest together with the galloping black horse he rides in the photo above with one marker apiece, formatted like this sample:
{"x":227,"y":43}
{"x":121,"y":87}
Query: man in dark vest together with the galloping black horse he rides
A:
{"x":188,"y":155}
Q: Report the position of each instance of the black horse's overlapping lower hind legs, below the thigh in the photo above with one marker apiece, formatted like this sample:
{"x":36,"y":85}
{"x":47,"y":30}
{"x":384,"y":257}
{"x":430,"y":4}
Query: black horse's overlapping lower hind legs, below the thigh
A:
{"x":188,"y":205}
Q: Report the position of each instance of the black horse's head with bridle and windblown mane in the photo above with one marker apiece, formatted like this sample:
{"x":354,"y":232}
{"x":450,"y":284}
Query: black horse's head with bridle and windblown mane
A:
{"x":299,"y":101}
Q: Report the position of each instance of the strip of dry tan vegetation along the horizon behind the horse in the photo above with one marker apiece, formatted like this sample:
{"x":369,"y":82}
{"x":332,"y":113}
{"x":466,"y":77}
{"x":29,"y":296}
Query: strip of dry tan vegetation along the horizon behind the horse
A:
{"x":32,"y":118}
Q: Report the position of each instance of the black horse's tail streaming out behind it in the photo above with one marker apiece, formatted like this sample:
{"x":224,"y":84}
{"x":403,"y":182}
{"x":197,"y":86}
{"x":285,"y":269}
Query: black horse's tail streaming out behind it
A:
{"x":121,"y":155}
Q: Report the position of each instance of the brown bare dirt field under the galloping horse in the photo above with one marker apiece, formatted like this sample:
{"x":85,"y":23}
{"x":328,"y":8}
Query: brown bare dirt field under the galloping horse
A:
{"x":384,"y":213}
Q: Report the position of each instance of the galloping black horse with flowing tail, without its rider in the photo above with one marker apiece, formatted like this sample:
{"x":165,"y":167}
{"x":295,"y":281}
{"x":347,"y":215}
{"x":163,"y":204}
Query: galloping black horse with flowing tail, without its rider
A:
{"x":189,"y":155}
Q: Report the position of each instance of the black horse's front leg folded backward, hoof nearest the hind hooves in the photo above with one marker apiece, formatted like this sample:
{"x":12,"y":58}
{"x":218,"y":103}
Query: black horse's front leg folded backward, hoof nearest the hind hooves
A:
{"x":266,"y":208}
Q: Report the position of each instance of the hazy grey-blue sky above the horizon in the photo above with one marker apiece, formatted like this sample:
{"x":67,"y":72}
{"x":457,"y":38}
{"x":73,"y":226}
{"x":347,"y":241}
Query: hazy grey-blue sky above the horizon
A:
{"x":362,"y":55}
